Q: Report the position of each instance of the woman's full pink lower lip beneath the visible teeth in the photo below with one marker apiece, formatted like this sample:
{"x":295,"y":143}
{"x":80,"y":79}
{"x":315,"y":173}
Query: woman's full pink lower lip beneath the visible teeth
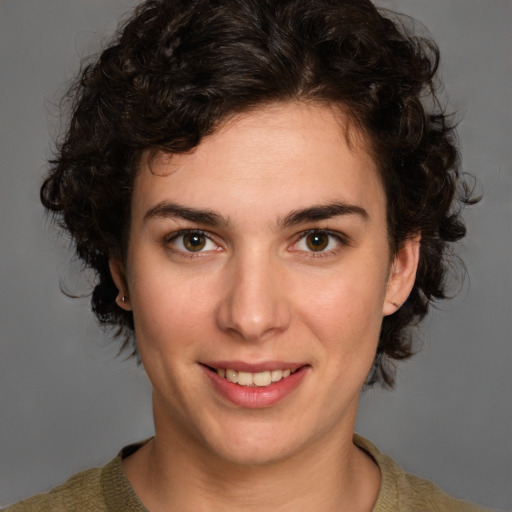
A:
{"x":256,"y":397}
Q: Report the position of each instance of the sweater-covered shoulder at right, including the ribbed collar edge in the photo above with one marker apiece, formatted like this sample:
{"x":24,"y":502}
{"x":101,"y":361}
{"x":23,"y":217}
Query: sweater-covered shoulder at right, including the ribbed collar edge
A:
{"x":403,"y":492}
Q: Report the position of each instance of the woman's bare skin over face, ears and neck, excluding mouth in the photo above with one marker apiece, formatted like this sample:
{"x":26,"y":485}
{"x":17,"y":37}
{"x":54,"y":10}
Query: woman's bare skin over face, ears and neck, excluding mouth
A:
{"x":257,"y":291}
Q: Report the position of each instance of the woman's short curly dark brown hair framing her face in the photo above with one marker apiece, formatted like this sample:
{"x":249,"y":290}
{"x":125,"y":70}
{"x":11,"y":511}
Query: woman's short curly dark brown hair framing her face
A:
{"x":177,"y":68}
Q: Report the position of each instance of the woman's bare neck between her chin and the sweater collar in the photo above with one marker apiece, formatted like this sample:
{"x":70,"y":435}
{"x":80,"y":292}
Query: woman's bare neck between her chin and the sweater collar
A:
{"x":331,"y":474}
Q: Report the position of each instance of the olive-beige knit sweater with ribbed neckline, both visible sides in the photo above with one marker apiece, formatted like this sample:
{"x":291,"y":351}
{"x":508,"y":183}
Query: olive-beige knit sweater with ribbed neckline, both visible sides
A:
{"x":107,"y":489}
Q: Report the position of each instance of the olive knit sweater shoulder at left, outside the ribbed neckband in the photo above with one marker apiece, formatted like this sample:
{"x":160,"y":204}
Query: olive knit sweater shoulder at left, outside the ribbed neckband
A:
{"x":81,"y":492}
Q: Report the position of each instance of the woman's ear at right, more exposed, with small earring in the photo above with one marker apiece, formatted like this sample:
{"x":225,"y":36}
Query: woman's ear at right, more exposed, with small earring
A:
{"x":402,"y":275}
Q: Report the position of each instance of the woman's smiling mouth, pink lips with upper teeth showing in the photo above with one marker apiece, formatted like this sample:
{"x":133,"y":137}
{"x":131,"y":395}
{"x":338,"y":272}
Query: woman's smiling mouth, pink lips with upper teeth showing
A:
{"x":255,"y":385}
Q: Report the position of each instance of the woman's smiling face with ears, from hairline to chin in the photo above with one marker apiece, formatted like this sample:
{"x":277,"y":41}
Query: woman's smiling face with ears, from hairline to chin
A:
{"x":258,"y":273}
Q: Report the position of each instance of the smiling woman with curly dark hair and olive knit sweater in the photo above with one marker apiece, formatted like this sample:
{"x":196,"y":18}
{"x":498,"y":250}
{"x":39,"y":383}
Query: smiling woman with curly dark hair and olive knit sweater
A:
{"x":267,"y":203}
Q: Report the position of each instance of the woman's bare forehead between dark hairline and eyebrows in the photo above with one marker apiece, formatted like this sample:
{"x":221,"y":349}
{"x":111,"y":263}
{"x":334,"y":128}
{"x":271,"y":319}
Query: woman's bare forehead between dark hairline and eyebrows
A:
{"x":267,"y":162}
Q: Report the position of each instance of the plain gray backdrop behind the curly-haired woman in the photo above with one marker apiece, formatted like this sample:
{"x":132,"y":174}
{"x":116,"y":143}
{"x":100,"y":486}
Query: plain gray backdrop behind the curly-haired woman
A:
{"x":67,"y":403}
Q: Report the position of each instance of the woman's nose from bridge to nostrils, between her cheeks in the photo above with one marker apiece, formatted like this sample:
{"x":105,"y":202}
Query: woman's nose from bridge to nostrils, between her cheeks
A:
{"x":254,"y":306}
